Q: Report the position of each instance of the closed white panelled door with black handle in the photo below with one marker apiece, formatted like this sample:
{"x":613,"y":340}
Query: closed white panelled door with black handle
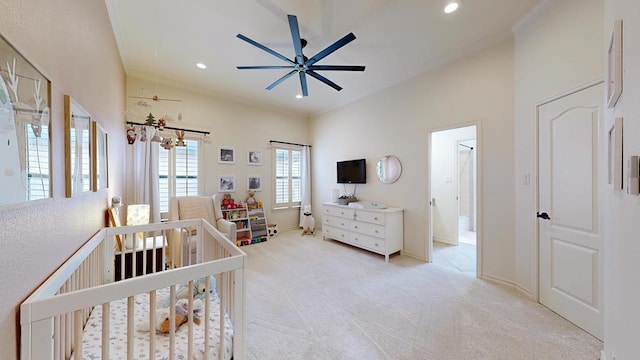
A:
{"x":570,"y":184}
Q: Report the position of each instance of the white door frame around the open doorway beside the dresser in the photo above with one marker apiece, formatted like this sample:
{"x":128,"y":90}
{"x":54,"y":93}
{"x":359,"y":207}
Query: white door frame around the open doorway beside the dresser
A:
{"x":428,"y":224}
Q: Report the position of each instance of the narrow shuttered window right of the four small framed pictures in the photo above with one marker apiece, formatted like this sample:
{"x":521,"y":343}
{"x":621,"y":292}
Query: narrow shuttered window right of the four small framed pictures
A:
{"x":288,"y":181}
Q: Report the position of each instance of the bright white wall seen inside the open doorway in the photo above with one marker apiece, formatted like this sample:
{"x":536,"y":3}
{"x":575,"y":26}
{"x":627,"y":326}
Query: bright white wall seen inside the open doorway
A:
{"x":444,"y":182}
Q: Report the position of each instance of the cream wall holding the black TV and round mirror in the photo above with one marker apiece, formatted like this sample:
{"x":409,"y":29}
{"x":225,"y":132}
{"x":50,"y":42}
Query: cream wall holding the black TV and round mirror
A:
{"x":397,"y":121}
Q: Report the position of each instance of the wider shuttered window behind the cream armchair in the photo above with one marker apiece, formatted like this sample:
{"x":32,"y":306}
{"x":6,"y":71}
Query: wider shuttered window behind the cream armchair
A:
{"x":178,"y":172}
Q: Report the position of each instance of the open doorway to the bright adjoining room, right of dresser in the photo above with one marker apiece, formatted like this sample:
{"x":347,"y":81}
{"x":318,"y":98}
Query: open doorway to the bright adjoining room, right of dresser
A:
{"x":453,"y":184}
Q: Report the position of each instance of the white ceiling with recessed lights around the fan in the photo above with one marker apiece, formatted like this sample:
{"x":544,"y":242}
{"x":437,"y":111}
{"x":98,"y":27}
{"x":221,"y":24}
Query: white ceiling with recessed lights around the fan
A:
{"x":162,"y":40}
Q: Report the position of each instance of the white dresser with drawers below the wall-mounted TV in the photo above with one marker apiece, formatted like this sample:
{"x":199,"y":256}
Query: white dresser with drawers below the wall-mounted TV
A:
{"x":379,"y":231}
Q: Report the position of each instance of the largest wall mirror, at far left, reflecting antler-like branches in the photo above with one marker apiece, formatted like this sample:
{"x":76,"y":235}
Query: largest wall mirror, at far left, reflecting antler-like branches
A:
{"x":25,"y":142}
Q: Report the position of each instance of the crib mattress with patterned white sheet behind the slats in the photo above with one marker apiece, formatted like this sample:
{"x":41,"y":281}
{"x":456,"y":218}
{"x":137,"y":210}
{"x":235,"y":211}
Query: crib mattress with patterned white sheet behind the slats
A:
{"x":92,"y":338}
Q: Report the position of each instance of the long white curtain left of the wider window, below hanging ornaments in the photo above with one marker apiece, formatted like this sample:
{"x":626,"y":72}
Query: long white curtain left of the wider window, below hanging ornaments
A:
{"x":145,"y":174}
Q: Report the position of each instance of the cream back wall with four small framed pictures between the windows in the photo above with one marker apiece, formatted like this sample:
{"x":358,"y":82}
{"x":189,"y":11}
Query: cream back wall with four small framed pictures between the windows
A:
{"x":233,"y":124}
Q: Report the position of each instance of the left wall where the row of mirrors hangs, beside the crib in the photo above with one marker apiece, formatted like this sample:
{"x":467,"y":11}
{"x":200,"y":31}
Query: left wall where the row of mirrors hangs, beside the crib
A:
{"x":71,"y":42}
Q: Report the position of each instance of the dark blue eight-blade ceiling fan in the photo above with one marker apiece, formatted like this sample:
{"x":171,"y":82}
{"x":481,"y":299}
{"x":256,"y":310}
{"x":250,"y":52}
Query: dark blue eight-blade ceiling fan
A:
{"x":302,"y":65}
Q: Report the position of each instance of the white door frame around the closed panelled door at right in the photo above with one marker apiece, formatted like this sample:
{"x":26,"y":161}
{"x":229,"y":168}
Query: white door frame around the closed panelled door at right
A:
{"x":535,"y":291}
